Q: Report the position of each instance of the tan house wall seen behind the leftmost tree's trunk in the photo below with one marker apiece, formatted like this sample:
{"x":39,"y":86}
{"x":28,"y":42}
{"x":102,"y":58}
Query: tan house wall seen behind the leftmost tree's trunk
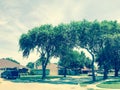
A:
{"x":52,"y":67}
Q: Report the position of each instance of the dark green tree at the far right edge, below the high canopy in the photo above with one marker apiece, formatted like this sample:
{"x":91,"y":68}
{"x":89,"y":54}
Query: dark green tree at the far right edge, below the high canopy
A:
{"x":115,"y":53}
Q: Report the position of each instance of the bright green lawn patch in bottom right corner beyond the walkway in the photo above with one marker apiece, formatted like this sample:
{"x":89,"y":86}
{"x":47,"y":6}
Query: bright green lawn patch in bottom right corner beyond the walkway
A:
{"x":112,"y":84}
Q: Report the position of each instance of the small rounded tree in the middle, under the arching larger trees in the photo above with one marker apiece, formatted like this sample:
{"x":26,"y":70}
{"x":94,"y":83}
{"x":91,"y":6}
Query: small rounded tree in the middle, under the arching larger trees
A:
{"x":72,"y":60}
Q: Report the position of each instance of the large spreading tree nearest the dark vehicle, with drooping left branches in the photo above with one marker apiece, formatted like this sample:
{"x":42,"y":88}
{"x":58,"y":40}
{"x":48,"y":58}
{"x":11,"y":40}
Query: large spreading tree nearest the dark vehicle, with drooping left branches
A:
{"x":49,"y":41}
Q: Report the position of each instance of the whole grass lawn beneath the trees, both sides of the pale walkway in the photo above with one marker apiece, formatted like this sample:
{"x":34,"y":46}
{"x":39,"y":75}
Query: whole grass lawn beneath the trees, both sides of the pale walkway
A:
{"x":83,"y":80}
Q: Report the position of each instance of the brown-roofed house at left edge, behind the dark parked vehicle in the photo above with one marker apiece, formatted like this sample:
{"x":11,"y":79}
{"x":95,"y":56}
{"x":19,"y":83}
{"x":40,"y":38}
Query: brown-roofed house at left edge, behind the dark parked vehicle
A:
{"x":6,"y":64}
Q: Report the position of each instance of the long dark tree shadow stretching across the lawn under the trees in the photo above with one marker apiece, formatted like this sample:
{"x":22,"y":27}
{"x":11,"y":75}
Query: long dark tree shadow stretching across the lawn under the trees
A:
{"x":69,"y":80}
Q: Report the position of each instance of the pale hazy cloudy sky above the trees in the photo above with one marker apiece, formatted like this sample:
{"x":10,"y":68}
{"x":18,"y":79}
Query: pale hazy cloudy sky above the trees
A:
{"x":19,"y":16}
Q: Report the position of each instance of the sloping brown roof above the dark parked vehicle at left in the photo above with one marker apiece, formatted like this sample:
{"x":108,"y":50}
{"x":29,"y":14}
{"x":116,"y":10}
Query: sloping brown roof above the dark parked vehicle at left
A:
{"x":9,"y":64}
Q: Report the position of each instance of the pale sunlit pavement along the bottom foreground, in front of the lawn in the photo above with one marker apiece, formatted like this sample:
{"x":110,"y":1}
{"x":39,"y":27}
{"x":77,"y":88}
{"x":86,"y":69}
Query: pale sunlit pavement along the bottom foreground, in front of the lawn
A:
{"x":8,"y":85}
